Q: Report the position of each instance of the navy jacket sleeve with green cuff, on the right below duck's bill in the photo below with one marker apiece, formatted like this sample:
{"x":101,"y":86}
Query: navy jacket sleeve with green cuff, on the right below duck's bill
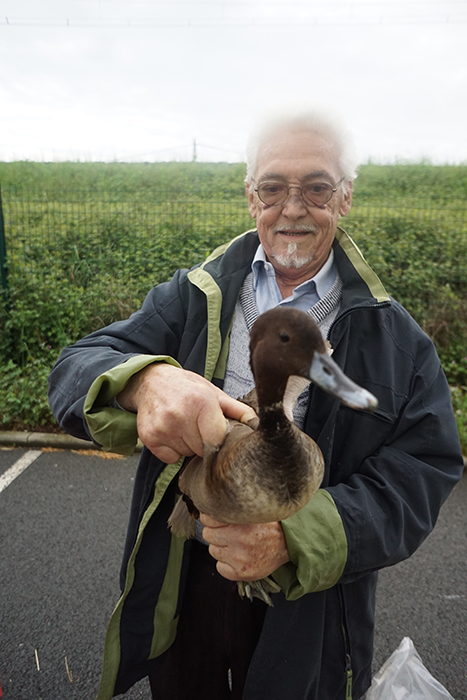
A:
{"x":390,"y":475}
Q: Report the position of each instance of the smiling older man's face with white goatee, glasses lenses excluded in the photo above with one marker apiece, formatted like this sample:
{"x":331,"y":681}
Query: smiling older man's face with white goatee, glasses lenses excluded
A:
{"x":296,"y":235}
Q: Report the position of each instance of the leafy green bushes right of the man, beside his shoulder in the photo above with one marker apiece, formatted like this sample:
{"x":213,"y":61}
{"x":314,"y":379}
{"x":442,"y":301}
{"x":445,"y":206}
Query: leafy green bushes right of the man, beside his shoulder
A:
{"x":423,"y":266}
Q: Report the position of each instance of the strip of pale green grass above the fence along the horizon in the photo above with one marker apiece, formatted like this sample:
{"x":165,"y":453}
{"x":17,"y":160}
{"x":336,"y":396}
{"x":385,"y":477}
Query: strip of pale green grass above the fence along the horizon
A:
{"x":438,"y":184}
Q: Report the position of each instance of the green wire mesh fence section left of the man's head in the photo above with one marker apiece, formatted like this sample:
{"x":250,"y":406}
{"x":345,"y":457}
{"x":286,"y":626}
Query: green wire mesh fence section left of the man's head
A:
{"x":85,"y":236}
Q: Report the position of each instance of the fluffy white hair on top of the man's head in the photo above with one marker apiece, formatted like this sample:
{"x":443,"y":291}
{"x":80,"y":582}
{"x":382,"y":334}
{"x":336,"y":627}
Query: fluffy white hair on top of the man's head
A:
{"x":317,"y":120}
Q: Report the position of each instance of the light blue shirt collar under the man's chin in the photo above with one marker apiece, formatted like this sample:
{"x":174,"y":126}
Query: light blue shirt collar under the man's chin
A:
{"x":303,"y":297}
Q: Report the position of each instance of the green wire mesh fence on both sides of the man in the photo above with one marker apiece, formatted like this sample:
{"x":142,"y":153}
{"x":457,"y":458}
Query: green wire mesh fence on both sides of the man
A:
{"x":111,"y":247}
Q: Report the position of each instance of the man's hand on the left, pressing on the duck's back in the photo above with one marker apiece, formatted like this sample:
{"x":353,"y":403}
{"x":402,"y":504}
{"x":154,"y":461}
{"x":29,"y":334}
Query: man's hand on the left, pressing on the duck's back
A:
{"x":178,"y":411}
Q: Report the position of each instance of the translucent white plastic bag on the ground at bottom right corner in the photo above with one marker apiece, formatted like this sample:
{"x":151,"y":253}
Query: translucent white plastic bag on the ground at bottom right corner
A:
{"x":404,"y":677}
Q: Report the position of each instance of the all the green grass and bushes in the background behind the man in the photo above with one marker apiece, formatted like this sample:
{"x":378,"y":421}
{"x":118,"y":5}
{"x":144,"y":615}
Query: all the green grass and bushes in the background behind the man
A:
{"x":85,"y":242}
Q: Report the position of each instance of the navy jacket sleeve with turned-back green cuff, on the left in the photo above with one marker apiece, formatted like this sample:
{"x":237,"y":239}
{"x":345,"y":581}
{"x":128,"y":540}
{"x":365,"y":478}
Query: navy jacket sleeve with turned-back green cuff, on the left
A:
{"x":151,"y":334}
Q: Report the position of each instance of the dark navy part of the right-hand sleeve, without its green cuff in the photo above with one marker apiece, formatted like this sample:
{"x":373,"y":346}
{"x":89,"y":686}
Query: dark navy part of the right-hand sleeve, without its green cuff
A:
{"x":391,"y":504}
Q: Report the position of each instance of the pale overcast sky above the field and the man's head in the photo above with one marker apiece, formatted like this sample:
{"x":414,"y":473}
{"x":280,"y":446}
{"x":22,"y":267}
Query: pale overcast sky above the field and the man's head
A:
{"x":142,"y":79}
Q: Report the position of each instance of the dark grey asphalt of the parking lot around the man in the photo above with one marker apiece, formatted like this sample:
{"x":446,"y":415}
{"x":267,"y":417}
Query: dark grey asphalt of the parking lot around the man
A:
{"x":62,"y":528}
